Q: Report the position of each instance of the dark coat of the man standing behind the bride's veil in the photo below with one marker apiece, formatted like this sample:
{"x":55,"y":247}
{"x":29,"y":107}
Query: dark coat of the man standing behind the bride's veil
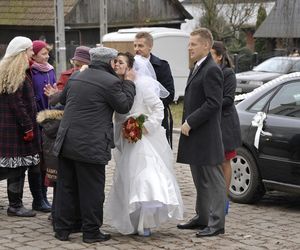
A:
{"x":164,"y":76}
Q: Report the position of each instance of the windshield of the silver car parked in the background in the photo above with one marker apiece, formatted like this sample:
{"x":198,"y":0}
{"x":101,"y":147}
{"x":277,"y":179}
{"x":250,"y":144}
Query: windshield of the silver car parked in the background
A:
{"x":276,"y":65}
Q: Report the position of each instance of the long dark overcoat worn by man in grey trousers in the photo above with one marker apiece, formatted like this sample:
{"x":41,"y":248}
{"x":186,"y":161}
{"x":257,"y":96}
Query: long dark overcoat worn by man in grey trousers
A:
{"x":202,"y":110}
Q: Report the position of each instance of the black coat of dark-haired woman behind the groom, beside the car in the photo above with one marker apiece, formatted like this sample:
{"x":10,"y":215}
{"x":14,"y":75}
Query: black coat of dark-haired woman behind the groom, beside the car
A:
{"x":230,"y":124}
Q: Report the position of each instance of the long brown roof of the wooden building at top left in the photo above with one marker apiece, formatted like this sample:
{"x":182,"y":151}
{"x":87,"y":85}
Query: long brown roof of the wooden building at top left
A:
{"x":85,"y":14}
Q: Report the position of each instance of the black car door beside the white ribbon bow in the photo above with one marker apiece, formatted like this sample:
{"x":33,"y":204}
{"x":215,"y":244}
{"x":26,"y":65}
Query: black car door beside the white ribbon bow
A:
{"x":279,"y":147}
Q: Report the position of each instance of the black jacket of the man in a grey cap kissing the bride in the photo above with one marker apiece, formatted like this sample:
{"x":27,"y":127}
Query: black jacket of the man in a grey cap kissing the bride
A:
{"x":90,"y":98}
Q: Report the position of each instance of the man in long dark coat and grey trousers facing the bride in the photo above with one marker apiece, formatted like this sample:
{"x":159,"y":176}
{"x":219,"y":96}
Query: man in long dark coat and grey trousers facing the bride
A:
{"x":200,"y":143}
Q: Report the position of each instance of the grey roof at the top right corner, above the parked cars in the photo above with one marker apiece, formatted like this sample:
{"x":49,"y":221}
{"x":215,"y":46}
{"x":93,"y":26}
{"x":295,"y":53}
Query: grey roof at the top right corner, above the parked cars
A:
{"x":282,"y":22}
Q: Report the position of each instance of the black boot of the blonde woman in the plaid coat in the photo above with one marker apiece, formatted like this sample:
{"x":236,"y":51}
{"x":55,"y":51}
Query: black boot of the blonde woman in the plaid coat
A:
{"x":15,"y":195}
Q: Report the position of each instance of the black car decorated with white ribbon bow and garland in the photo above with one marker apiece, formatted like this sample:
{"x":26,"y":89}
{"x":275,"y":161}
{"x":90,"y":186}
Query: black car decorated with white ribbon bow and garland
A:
{"x":269,"y":158}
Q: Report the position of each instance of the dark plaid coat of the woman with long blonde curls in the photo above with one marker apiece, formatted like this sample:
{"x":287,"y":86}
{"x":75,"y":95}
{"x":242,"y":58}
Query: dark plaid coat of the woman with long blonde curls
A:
{"x":18,"y":115}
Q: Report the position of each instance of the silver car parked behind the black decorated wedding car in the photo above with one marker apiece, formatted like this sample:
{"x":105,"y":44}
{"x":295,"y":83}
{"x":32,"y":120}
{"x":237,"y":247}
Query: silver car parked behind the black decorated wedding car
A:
{"x":266,"y":71}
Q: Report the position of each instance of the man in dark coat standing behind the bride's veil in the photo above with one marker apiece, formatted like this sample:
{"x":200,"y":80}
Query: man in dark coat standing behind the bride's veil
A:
{"x":143,"y":44}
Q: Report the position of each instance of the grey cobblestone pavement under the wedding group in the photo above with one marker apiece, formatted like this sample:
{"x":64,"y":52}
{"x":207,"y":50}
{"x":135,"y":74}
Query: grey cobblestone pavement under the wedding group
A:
{"x":273,"y":223}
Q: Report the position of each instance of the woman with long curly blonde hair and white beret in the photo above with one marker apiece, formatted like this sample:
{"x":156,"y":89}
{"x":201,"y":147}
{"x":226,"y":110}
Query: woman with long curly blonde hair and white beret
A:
{"x":19,"y":140}
